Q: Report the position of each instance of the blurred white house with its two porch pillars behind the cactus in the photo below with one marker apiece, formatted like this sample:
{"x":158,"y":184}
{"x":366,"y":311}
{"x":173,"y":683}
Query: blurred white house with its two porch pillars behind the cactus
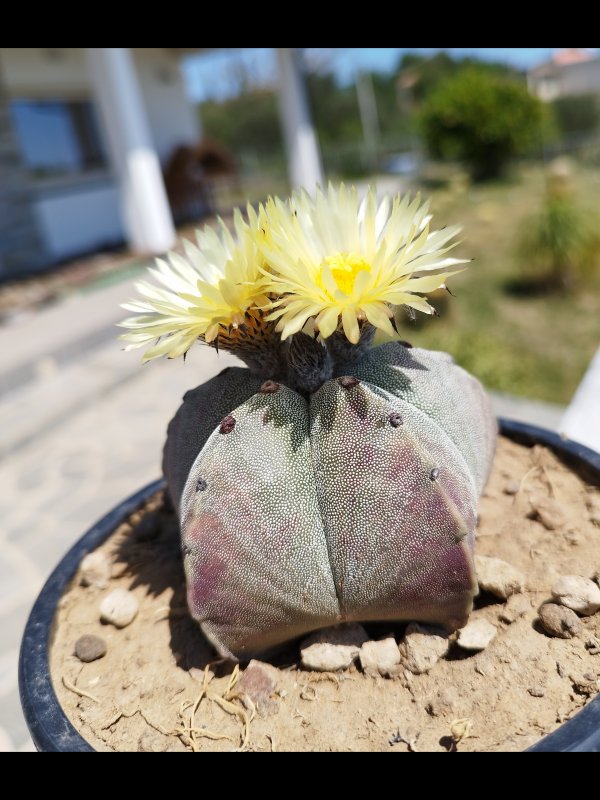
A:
{"x":85,"y":134}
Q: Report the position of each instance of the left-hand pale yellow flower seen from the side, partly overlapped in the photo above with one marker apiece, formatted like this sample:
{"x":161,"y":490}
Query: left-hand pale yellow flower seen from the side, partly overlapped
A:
{"x":208,"y":294}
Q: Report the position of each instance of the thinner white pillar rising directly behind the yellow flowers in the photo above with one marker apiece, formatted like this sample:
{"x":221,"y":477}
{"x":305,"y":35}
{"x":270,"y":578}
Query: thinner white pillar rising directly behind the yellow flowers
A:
{"x":304,"y":160}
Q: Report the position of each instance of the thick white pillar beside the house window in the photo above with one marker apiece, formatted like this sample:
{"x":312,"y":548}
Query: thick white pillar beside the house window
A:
{"x":145,"y":208}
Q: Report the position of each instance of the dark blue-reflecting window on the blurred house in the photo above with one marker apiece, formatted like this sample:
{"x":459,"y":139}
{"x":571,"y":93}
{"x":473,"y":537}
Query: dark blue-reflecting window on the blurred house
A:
{"x":58,"y":137}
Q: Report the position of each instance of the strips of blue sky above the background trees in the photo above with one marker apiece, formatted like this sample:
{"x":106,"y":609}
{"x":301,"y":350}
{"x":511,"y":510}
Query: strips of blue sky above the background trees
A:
{"x":217,"y":74}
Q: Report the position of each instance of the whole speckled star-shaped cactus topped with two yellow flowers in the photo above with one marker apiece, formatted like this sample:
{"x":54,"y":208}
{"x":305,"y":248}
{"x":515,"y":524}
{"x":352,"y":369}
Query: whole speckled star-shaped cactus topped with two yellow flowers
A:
{"x":330,"y":480}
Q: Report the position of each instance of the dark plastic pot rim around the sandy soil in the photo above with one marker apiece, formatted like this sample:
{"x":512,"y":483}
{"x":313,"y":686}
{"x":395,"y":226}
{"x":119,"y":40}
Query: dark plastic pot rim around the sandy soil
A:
{"x":48,"y":724}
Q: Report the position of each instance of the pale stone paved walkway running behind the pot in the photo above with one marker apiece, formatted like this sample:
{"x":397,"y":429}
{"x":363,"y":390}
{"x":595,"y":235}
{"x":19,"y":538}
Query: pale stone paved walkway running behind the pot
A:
{"x":82,"y":427}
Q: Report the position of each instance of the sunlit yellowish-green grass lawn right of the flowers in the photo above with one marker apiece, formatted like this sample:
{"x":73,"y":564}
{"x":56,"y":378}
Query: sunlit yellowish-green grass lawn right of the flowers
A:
{"x":534,"y":346}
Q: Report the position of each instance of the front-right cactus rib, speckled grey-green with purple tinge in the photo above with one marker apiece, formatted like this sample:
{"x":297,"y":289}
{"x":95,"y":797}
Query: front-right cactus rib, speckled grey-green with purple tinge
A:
{"x":400,"y":545}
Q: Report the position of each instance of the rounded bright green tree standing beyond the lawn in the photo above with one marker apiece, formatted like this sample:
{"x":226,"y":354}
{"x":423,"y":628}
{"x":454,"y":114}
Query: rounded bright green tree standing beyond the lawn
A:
{"x":483,"y":119}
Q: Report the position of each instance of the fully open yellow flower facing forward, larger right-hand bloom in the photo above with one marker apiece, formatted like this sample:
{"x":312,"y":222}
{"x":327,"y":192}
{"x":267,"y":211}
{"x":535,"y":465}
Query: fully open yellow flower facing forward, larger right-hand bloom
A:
{"x":331,"y":258}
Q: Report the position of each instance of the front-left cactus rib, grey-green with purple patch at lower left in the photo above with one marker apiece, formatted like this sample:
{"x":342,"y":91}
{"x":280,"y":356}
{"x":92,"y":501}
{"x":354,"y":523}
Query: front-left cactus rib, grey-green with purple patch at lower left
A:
{"x":257,"y":565}
